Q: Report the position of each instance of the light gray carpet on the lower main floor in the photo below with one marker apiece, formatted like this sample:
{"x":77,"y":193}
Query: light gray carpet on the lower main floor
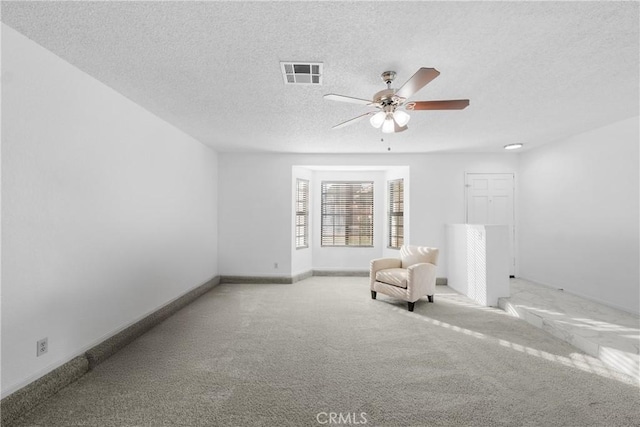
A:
{"x":278,"y":355}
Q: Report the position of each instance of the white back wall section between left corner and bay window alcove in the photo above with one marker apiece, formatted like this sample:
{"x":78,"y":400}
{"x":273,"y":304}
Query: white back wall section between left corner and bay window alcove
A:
{"x":255,"y":214}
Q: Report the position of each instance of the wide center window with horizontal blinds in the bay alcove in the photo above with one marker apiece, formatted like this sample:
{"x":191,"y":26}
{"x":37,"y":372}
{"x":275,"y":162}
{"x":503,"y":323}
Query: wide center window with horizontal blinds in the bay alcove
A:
{"x":347,"y":214}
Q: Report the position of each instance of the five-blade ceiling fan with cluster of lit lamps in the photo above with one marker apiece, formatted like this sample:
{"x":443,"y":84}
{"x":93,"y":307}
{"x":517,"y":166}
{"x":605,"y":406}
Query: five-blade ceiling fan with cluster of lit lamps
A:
{"x":391,"y":117}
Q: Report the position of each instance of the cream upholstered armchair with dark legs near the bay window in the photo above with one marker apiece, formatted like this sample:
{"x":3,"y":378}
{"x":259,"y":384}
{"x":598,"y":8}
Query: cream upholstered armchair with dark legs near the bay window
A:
{"x":408,"y":278}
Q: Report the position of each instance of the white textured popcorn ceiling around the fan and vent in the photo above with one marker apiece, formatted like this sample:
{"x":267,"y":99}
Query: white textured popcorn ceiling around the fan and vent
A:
{"x":534,"y":72}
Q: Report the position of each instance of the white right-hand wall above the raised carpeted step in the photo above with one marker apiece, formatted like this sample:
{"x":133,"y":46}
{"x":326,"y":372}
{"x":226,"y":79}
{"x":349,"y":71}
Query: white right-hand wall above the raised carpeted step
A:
{"x":578,"y":215}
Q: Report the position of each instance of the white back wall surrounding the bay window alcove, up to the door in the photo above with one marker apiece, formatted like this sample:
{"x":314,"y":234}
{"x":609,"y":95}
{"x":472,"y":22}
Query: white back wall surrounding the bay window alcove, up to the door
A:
{"x":255,"y":202}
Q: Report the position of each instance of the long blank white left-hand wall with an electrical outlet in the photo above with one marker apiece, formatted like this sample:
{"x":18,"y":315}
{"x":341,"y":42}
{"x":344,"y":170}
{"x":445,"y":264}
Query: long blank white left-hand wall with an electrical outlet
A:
{"x":108,"y":212}
